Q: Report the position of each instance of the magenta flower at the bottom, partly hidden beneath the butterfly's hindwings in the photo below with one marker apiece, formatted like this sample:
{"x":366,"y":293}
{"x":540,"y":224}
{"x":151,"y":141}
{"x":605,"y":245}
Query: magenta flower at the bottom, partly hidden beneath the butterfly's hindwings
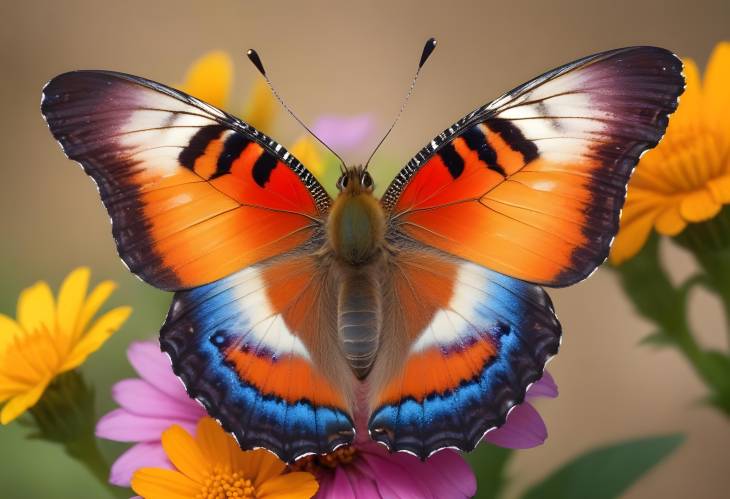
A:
{"x":367,"y":470}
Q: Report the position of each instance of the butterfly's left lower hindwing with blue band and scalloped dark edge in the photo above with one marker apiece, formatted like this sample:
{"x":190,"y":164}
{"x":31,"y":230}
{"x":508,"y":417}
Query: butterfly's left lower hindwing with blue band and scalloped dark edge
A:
{"x":256,"y":349}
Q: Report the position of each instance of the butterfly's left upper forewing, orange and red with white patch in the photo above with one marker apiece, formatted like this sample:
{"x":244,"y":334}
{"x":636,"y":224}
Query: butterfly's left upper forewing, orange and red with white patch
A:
{"x":193,"y":193}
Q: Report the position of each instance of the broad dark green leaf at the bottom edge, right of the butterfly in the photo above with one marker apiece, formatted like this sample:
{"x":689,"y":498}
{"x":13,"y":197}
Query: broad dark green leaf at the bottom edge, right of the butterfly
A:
{"x":606,"y":472}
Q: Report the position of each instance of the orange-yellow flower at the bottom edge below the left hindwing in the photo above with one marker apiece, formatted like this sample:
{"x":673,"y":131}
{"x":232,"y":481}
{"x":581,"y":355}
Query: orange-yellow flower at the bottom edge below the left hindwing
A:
{"x":211,"y":465}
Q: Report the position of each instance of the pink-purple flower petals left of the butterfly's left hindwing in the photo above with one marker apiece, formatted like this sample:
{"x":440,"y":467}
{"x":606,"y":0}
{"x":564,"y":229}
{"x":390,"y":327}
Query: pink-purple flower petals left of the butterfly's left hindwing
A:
{"x":149,"y":405}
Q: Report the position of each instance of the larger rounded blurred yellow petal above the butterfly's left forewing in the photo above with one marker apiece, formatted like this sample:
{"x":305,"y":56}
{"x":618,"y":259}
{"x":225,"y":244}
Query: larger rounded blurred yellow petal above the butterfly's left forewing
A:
{"x":210,"y":78}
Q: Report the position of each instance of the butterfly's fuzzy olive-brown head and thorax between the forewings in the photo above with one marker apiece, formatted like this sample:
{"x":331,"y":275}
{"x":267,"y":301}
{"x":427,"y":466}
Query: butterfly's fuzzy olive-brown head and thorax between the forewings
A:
{"x":356,"y":223}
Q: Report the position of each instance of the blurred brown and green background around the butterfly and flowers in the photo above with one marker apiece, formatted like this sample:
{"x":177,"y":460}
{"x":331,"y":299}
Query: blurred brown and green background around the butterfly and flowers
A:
{"x":328,"y":57}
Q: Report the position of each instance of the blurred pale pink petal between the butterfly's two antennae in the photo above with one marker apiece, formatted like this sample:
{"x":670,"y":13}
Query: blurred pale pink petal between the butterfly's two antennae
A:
{"x":344,"y":133}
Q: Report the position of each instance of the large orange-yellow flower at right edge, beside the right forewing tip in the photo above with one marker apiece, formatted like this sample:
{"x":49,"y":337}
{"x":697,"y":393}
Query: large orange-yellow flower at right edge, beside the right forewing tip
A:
{"x":686,"y":178}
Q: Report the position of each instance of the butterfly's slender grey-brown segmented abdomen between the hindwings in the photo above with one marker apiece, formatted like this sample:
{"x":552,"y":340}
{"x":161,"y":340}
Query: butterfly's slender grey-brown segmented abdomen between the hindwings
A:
{"x":359,"y":318}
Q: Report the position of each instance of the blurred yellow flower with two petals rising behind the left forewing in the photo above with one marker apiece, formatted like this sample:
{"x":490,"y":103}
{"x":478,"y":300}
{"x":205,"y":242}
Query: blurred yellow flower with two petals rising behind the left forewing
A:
{"x":210,"y":78}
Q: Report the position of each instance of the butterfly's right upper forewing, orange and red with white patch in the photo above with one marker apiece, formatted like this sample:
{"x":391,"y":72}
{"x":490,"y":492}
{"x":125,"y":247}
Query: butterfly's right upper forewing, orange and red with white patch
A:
{"x":532,"y":184}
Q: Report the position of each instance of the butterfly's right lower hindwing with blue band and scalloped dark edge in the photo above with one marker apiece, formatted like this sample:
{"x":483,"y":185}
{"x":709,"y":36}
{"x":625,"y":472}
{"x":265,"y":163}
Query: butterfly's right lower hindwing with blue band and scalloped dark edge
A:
{"x":461,"y":345}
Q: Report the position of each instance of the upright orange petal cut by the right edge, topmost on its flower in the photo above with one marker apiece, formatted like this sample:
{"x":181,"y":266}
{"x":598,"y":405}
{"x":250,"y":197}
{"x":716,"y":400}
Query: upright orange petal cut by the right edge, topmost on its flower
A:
{"x":717,"y":83}
